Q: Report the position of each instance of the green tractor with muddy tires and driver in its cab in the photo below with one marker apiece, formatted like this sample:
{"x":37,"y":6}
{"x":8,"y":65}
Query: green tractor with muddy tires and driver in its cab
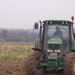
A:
{"x":54,"y":50}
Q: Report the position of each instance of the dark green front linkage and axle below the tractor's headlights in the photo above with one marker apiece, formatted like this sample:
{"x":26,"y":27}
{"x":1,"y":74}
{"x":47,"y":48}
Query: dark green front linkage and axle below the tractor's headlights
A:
{"x":51,"y":61}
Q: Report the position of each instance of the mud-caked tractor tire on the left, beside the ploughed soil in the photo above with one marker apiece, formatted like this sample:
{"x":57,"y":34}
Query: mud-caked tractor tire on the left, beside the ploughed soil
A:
{"x":31,"y":62}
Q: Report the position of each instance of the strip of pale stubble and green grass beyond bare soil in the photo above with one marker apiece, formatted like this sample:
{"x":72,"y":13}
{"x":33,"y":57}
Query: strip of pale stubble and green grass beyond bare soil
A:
{"x":15,"y":50}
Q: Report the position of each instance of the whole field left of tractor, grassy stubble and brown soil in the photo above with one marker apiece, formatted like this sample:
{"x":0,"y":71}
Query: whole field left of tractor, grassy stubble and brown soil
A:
{"x":12,"y":57}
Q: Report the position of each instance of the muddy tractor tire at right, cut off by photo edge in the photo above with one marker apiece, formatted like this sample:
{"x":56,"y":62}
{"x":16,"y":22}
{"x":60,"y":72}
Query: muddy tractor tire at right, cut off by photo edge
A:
{"x":69,"y":64}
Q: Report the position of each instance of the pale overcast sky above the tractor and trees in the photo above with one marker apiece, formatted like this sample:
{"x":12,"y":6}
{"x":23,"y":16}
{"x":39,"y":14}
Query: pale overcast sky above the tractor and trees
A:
{"x":23,"y":13}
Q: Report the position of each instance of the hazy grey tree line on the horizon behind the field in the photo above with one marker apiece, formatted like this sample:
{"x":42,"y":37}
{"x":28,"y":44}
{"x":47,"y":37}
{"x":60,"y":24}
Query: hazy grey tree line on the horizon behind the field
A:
{"x":18,"y":35}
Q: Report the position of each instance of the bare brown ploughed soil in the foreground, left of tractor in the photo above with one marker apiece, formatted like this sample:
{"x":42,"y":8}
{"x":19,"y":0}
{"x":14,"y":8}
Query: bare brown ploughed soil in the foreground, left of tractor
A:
{"x":13,"y":67}
